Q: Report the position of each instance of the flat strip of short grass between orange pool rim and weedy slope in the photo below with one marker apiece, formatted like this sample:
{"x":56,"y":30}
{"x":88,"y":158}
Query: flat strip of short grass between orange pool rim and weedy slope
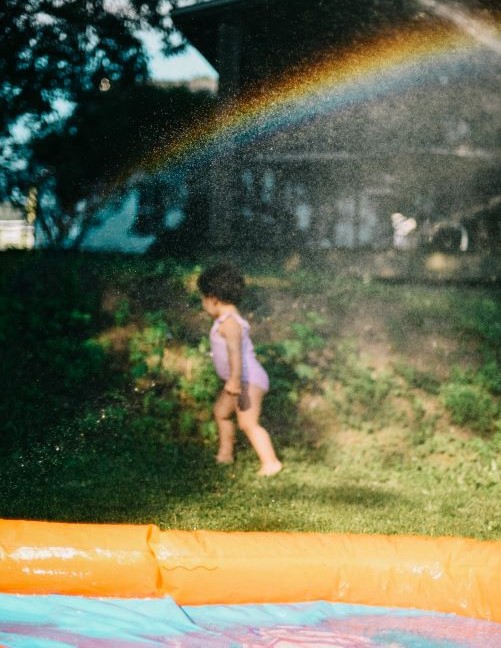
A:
{"x":181,"y":488}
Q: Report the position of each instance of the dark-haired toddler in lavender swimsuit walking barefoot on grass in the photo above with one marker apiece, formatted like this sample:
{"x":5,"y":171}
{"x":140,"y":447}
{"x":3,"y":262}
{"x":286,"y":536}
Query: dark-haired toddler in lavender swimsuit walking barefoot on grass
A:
{"x":245,"y":380}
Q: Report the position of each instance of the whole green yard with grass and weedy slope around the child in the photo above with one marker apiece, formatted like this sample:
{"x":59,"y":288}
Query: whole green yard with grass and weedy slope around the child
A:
{"x":384,"y":403}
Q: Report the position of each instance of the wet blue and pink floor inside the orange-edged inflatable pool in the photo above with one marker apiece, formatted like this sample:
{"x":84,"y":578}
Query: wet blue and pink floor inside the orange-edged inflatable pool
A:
{"x":69,"y":621}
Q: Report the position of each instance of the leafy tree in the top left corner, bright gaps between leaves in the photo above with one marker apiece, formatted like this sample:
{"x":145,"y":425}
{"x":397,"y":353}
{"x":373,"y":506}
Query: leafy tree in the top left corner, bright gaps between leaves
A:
{"x":57,"y":56}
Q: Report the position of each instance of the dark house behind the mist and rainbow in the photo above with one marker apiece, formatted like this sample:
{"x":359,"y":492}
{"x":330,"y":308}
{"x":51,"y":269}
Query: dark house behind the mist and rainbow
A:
{"x":411,"y":126}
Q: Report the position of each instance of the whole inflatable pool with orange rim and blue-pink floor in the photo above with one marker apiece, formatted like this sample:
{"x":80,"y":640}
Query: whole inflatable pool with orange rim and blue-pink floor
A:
{"x":127,"y":586}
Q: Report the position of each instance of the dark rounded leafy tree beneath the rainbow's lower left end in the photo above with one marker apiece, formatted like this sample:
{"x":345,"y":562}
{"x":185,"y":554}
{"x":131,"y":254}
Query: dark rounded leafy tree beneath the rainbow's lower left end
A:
{"x":104,"y":139}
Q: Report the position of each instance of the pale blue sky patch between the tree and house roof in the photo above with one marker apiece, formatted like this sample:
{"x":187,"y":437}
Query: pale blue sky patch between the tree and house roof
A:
{"x":183,"y":66}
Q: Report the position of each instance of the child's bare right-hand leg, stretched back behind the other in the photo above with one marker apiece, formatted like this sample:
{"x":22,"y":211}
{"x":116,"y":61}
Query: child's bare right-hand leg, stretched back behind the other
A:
{"x":248,"y":421}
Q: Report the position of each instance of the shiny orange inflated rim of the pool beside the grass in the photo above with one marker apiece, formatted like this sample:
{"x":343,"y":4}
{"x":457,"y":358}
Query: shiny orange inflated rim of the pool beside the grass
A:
{"x":445,"y":574}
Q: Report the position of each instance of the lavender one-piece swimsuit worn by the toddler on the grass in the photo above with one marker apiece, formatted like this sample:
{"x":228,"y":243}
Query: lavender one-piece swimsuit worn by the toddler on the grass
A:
{"x":252,"y":371}
